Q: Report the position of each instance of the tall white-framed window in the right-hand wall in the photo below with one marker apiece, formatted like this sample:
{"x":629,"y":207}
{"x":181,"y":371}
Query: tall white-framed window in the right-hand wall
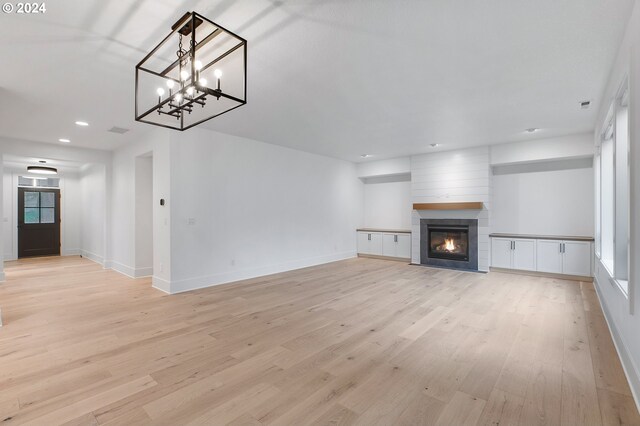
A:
{"x":613,"y":192}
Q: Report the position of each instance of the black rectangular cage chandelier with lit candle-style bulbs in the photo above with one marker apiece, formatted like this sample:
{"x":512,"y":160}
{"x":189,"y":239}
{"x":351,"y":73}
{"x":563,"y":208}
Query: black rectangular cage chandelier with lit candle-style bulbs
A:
{"x":198,"y":72}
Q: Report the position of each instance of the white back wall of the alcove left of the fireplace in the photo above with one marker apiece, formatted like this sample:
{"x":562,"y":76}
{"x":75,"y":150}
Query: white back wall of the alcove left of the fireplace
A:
{"x":387,"y":204}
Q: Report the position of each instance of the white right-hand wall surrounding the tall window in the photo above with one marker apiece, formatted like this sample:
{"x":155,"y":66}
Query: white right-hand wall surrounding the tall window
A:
{"x":623,"y":315}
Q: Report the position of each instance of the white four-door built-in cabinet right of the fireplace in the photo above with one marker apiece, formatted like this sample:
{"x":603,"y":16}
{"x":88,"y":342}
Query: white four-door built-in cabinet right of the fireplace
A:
{"x":568,"y":257}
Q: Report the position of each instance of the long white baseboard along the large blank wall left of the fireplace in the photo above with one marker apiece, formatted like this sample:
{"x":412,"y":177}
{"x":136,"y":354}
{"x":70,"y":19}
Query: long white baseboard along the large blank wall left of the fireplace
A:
{"x":189,"y":284}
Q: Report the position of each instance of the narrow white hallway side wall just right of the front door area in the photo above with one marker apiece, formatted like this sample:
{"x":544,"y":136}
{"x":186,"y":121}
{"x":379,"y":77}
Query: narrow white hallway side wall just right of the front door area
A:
{"x":93,"y":212}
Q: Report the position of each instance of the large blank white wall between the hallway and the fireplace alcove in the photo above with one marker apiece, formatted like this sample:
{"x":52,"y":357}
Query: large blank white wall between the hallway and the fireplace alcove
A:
{"x":242,"y":208}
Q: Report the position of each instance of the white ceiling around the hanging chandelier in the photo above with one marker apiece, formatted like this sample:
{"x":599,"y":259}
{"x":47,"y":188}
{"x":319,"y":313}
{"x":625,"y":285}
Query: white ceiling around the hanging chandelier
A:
{"x":340,"y":78}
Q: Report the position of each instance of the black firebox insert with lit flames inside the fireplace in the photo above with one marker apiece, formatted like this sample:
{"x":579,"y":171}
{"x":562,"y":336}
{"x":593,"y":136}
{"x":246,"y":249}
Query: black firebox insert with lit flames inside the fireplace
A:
{"x":448,"y":242}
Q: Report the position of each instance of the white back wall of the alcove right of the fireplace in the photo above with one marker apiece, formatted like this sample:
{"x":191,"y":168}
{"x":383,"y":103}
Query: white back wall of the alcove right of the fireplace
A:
{"x":556,"y":202}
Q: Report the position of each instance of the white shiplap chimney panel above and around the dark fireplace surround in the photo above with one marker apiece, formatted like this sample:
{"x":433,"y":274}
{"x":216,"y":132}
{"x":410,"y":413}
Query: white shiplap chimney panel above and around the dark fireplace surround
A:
{"x":453,"y":176}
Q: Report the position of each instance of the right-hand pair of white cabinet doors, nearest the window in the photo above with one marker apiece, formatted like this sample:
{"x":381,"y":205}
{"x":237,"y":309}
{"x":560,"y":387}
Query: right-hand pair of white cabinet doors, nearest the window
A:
{"x":564,"y":257}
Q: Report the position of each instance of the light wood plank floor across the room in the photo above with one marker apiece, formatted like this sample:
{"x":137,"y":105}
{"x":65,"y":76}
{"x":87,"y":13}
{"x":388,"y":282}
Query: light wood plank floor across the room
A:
{"x":364,"y":341}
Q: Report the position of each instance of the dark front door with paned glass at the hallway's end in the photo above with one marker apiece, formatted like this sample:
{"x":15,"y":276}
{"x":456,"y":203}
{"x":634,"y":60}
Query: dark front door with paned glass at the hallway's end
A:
{"x":38,"y":222}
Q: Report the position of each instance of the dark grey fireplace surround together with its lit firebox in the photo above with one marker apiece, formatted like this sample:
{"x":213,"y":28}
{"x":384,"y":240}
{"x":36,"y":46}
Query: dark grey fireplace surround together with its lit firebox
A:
{"x":449,"y":243}
